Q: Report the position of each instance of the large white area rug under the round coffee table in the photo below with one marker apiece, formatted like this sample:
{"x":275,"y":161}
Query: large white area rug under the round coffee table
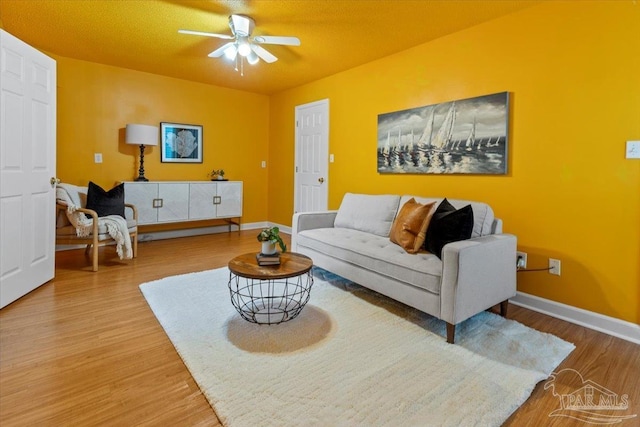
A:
{"x":351,"y":358}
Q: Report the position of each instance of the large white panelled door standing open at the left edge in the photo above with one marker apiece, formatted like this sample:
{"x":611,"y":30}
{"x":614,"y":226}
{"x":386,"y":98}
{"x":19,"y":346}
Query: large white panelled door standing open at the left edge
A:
{"x":27,"y":168}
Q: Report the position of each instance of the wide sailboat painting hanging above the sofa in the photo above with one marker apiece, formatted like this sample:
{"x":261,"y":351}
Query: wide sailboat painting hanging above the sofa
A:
{"x":467,"y":136}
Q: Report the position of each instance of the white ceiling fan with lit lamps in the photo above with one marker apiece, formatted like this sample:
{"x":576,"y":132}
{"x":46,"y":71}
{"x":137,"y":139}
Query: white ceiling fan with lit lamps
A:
{"x":243,"y":45}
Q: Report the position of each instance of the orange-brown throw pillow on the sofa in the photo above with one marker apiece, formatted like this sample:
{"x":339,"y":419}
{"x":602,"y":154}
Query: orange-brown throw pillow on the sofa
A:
{"x":410,"y":226}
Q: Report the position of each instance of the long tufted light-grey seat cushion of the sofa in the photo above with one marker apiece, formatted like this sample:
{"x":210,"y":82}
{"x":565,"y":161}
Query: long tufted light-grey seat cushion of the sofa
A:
{"x":377,"y":254}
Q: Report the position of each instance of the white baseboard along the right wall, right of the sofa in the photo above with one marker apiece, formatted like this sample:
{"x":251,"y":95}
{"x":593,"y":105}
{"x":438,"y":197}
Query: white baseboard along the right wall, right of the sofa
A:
{"x":609,"y":325}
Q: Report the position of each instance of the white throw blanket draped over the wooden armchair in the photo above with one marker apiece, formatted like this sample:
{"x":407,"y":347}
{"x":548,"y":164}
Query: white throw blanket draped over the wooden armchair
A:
{"x":115,"y":224}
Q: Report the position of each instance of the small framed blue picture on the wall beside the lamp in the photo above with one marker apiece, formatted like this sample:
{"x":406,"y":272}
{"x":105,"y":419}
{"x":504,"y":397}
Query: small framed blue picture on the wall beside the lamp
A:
{"x":180,"y":143}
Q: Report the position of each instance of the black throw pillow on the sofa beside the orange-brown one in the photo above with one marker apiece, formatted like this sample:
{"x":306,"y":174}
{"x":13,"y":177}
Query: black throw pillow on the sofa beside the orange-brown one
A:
{"x":447,"y":225}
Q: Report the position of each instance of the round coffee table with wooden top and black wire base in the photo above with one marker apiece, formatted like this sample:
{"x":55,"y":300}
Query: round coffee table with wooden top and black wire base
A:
{"x":270,"y":294}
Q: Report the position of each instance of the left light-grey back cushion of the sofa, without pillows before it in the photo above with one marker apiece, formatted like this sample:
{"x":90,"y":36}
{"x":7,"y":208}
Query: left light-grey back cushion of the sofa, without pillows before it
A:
{"x":368,"y":213}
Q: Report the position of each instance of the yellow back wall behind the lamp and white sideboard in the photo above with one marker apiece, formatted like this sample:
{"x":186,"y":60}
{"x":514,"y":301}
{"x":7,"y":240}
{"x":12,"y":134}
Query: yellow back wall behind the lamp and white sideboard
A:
{"x":95,"y":103}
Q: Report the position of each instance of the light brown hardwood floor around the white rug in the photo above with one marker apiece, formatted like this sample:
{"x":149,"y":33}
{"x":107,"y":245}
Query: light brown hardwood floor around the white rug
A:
{"x":85,"y":349}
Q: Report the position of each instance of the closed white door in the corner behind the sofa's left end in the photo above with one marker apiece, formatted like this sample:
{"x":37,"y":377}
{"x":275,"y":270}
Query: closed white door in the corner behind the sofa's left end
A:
{"x":312,"y":157}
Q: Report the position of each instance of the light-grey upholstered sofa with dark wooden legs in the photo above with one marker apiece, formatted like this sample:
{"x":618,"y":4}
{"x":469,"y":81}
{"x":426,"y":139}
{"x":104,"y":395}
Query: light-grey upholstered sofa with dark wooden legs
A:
{"x":353,"y":242}
